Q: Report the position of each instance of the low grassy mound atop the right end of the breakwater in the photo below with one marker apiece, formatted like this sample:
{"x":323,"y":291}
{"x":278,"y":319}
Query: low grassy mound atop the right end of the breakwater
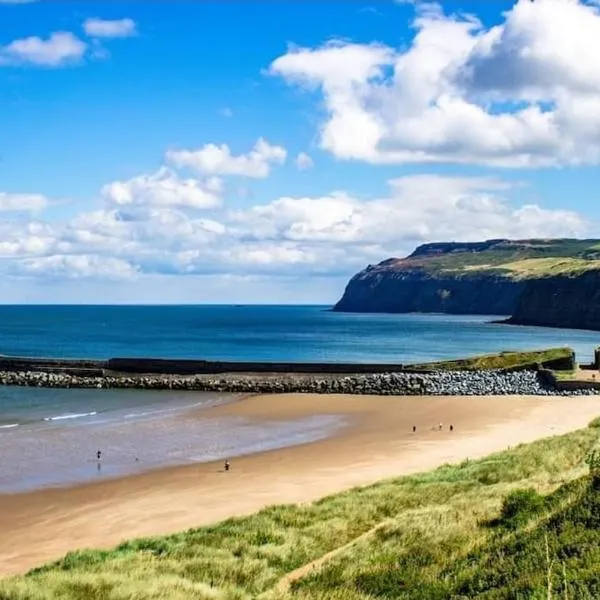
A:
{"x":557,"y":358}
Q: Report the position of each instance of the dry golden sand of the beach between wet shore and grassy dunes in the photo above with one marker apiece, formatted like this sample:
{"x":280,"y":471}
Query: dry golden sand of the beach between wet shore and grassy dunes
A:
{"x":378,"y":442}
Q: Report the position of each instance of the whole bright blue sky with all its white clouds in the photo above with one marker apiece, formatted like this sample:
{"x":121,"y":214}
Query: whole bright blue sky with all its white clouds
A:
{"x":149,"y":152}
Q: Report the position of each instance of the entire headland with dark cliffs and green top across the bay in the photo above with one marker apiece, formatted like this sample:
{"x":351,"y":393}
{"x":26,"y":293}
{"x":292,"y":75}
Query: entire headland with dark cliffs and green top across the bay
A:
{"x":535,"y":281}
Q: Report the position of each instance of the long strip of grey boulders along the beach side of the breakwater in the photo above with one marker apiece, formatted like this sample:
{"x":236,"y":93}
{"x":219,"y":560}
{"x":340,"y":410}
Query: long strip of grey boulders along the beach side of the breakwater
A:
{"x":435,"y":383}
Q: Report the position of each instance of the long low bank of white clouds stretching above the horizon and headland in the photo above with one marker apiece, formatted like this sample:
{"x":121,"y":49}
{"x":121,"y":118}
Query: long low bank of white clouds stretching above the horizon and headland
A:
{"x":150,"y":225}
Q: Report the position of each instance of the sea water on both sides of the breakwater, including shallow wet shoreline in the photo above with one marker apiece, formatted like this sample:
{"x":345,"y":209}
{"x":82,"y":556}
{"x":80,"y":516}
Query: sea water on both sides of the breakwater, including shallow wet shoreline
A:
{"x":49,"y":437}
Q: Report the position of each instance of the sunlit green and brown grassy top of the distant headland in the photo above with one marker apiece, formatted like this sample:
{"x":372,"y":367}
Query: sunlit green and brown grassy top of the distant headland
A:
{"x":518,"y":260}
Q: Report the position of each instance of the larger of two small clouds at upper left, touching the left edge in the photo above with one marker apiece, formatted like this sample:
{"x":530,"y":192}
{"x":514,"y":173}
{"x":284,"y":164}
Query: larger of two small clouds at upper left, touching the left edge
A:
{"x":60,"y":49}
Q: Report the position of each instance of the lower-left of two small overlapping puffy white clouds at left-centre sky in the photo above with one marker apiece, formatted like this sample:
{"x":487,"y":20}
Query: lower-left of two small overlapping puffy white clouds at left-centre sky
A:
{"x":164,"y":188}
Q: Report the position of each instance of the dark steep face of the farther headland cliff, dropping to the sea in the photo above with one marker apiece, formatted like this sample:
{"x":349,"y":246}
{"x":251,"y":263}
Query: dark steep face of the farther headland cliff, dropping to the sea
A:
{"x":416,"y":291}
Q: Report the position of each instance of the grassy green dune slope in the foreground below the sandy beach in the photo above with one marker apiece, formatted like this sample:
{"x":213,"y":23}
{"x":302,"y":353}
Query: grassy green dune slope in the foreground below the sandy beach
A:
{"x":521,"y":524}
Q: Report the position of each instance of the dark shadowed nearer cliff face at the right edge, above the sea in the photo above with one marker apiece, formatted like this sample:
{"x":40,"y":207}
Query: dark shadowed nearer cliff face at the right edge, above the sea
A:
{"x":571,"y":302}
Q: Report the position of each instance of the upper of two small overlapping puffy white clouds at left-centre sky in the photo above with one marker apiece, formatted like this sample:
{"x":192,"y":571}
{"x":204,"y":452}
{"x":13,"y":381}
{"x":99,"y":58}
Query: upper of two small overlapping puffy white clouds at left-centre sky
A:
{"x":218,"y":160}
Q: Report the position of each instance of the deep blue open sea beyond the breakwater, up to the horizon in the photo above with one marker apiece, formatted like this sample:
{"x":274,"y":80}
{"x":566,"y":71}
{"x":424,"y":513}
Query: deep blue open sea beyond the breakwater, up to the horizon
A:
{"x":275,"y":333}
